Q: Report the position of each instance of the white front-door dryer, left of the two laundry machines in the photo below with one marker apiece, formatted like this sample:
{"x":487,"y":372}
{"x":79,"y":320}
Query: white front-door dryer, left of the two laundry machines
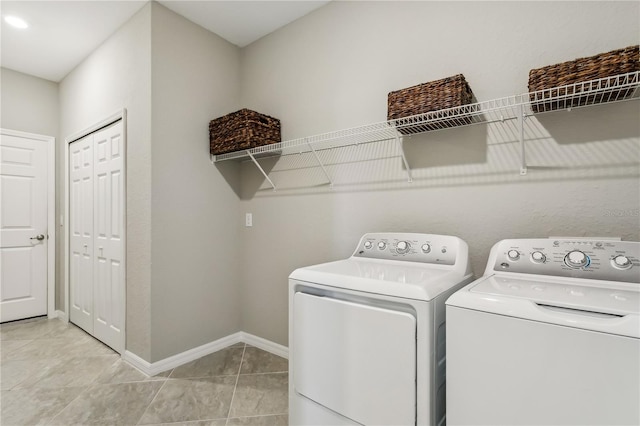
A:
{"x":367,"y":336}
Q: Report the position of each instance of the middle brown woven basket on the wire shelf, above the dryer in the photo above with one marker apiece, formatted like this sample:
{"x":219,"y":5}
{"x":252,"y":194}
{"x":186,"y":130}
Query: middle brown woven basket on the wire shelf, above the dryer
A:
{"x":432,"y":96}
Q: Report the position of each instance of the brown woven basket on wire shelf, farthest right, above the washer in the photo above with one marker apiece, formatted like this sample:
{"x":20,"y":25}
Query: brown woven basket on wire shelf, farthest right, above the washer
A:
{"x":604,"y":65}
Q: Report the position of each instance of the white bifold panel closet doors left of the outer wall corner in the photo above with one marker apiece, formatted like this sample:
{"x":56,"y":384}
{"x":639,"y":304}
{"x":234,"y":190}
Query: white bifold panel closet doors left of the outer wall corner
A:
{"x":96,"y":217}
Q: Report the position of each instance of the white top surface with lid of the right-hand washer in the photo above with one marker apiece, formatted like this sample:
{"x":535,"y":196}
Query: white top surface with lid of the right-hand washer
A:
{"x":592,"y":305}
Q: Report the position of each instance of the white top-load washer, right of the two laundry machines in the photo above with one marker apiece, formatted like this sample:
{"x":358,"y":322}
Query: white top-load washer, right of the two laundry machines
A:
{"x":550,"y":335}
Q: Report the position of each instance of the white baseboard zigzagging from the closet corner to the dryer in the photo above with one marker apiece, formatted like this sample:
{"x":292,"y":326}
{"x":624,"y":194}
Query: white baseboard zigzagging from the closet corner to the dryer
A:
{"x":151,"y":369}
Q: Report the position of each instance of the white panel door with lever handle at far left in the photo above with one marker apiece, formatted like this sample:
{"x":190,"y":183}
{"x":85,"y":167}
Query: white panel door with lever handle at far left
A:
{"x":23,"y":227}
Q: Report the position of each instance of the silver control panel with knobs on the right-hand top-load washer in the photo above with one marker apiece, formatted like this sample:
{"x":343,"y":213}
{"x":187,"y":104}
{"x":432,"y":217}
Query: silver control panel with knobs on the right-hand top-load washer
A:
{"x":578,"y":257}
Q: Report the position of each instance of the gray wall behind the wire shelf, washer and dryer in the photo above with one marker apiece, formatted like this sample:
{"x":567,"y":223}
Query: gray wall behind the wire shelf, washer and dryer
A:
{"x":333,"y":69}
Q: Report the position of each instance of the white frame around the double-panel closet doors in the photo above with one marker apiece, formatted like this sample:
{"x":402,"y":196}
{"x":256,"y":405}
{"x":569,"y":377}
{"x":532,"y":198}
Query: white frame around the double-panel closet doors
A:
{"x":120,"y":115}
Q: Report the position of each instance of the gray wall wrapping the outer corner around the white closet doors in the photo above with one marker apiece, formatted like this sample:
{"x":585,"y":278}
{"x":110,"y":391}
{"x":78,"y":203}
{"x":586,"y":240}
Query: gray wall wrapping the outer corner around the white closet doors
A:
{"x":182,"y":215}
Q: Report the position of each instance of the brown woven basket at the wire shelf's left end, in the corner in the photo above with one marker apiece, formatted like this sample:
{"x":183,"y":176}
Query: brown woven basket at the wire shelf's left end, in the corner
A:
{"x":242,"y":129}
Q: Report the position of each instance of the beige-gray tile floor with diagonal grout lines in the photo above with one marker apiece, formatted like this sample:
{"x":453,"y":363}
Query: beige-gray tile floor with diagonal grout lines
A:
{"x":52,"y":373}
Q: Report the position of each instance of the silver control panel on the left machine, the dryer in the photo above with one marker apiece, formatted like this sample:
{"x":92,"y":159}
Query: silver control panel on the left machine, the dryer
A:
{"x":426,"y":248}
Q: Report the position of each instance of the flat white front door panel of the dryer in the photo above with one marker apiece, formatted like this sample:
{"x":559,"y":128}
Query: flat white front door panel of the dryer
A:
{"x":355,"y":359}
